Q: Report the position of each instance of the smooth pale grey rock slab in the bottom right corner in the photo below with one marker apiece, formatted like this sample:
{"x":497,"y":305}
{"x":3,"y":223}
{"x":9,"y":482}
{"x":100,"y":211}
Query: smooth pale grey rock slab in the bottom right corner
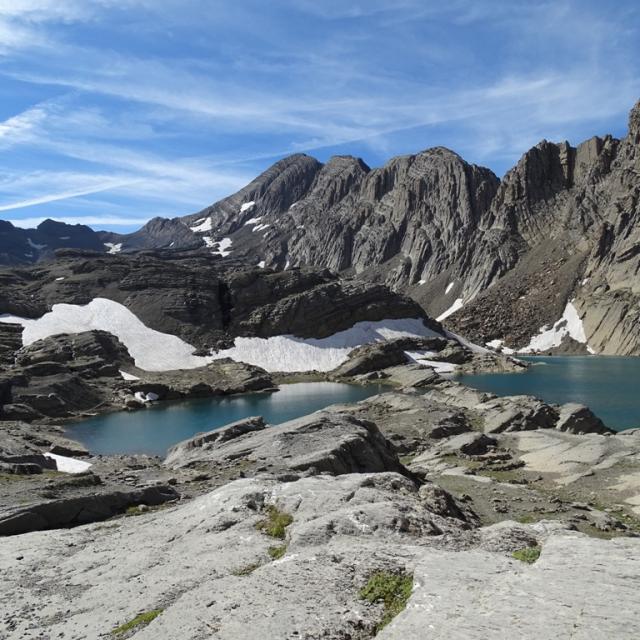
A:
{"x":562,"y":595}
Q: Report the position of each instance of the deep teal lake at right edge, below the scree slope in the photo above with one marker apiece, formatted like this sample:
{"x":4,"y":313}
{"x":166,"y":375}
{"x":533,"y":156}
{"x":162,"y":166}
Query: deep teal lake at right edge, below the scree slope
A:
{"x":610,"y":386}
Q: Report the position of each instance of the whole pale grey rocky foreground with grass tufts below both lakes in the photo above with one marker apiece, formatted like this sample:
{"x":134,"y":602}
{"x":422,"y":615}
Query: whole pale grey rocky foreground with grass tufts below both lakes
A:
{"x":404,"y":483}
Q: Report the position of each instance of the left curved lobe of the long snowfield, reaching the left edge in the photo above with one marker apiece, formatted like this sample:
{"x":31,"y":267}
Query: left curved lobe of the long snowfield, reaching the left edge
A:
{"x":151,"y":350}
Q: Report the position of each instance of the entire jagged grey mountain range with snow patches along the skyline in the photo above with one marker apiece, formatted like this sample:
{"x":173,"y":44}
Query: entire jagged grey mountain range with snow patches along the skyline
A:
{"x":545,"y":259}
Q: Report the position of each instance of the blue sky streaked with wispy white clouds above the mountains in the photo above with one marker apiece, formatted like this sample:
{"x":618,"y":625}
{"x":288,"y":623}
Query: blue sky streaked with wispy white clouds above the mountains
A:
{"x":115,"y":111}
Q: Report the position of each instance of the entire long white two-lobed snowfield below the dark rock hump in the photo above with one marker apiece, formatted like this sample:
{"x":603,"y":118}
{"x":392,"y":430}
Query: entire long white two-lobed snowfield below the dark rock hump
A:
{"x":156,"y":351}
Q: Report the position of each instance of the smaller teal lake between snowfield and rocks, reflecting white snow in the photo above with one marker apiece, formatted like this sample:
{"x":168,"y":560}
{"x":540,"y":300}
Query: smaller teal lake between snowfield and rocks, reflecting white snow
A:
{"x":155,"y":429}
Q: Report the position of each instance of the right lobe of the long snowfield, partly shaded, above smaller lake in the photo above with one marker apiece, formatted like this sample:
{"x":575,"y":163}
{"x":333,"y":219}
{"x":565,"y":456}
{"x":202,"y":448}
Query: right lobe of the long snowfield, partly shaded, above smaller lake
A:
{"x":289,"y":353}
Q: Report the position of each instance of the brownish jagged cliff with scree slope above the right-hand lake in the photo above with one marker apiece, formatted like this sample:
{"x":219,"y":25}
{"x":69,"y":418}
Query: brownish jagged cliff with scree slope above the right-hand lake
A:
{"x":580,"y":208}
